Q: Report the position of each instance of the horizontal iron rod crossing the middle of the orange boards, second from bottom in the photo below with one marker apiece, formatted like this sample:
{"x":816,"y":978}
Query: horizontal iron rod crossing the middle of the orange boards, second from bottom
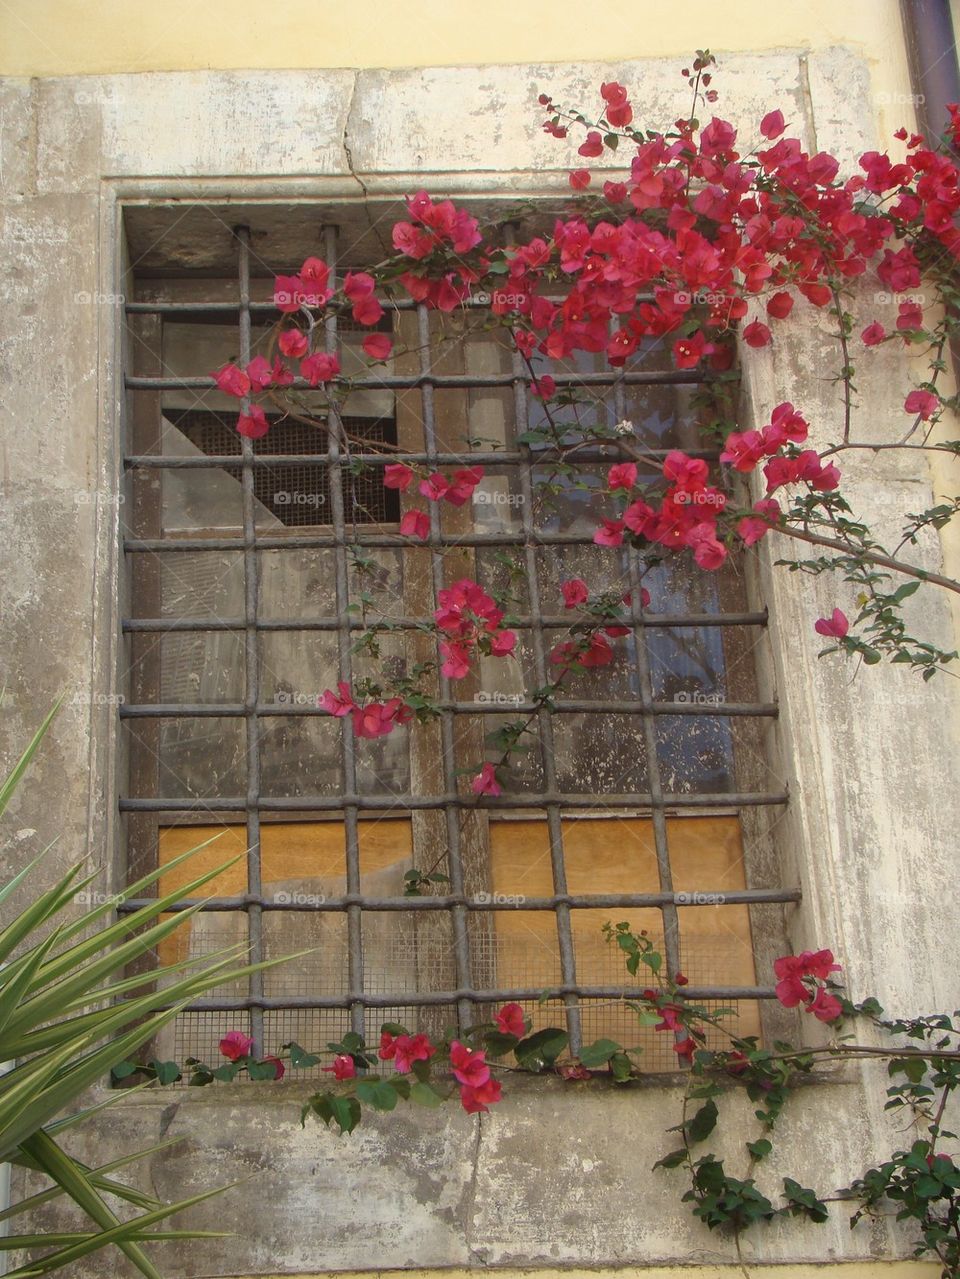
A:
{"x":578,"y":902}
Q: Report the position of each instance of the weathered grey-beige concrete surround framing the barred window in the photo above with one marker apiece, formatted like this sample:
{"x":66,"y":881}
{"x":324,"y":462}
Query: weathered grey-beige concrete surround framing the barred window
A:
{"x":550,"y":1179}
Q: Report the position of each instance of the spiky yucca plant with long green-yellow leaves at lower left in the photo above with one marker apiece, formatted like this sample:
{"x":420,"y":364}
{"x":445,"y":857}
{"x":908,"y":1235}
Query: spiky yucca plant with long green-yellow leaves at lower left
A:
{"x":66,"y":1020}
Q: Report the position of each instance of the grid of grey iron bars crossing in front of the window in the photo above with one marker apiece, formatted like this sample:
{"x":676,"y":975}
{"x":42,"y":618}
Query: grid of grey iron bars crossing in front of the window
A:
{"x":550,"y":801}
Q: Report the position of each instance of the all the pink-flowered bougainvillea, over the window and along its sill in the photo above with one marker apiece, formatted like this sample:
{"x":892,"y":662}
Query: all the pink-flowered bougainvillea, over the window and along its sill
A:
{"x":696,"y":242}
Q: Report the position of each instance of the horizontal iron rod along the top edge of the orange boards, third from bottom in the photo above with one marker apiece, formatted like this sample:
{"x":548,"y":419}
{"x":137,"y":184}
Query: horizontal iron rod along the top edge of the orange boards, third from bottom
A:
{"x":401,"y":803}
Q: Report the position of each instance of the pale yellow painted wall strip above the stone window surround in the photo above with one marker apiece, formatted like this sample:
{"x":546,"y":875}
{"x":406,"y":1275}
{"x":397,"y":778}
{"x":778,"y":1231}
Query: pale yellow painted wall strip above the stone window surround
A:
{"x":62,"y":38}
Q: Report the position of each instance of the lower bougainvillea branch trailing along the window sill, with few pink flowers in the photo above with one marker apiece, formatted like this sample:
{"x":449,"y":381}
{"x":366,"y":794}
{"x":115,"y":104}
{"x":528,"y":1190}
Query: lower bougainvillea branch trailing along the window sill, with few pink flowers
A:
{"x":920,"y":1185}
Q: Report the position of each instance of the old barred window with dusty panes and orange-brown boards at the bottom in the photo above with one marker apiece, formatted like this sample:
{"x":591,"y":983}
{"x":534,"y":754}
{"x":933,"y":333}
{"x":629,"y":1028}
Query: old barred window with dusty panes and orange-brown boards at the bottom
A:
{"x":256,"y":569}
